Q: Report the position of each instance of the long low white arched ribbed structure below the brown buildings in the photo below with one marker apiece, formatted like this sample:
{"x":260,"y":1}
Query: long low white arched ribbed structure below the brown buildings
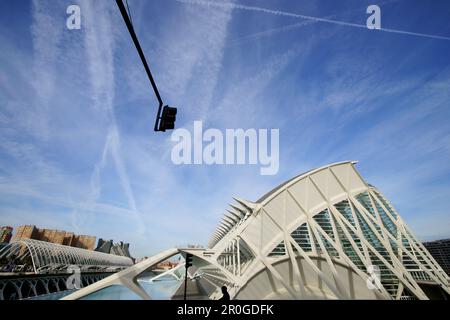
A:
{"x":42,"y":257}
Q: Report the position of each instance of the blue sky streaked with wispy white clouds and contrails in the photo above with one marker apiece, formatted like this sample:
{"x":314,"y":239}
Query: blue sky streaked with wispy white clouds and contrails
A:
{"x":77,"y":147}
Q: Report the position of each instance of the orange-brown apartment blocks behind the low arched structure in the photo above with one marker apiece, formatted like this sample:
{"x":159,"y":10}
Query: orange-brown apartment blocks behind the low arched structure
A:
{"x":55,"y":236}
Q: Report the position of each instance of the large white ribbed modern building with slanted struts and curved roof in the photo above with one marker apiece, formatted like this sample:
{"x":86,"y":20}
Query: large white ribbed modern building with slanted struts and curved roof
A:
{"x":325,"y":234}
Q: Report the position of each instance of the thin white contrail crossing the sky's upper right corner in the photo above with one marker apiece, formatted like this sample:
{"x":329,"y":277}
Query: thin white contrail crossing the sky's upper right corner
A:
{"x":231,"y":5}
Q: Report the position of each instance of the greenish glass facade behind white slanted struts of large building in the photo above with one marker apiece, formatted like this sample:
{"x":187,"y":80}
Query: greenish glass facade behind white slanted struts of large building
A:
{"x":375,"y":220}
